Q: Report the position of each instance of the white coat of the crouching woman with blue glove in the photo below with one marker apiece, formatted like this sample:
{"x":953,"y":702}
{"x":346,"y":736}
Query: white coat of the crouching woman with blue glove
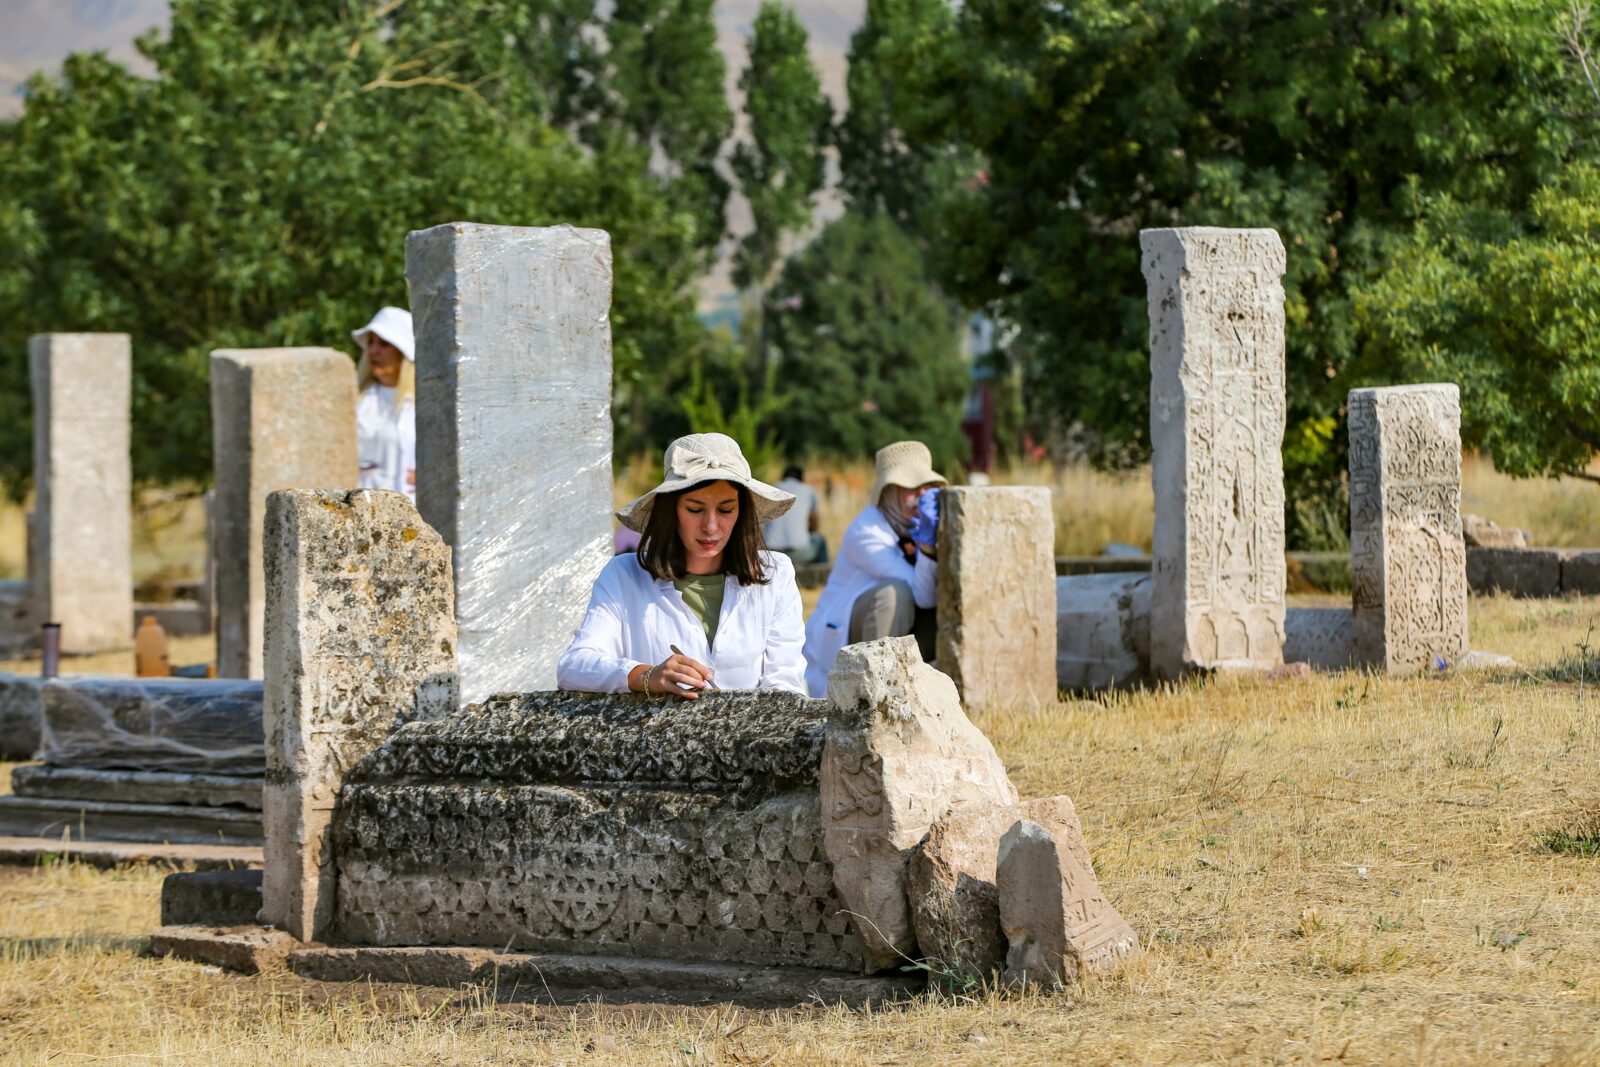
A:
{"x":868,"y":554}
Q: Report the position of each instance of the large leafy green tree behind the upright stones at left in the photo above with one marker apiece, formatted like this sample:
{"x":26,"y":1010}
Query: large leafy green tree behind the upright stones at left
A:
{"x":258,"y":191}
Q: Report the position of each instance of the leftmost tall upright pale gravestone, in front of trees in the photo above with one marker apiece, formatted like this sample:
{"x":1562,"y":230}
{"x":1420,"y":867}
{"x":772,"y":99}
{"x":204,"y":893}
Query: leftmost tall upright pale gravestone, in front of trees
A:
{"x":82,"y":482}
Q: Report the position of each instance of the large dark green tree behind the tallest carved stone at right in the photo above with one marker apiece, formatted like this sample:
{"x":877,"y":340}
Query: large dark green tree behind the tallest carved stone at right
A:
{"x":1326,"y":122}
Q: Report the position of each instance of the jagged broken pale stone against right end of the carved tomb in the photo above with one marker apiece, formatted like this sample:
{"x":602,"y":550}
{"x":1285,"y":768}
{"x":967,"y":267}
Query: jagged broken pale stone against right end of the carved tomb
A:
{"x":900,"y":754}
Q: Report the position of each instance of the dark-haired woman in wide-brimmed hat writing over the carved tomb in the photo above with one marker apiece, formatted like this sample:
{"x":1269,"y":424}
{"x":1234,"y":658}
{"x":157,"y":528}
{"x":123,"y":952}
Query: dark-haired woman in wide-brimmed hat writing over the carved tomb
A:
{"x":702,"y":604}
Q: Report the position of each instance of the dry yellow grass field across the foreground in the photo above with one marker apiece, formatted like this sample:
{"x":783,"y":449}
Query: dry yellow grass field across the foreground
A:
{"x":1342,"y":868}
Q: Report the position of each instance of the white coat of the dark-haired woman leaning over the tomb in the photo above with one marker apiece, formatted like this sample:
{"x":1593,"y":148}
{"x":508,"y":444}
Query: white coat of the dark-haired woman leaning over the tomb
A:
{"x":634,"y":618}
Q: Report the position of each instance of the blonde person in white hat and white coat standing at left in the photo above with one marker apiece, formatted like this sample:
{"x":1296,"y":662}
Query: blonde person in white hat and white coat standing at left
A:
{"x":386,"y":410}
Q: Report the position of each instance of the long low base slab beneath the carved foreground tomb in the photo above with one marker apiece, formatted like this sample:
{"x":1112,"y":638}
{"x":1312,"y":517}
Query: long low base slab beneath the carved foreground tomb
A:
{"x":617,"y":980}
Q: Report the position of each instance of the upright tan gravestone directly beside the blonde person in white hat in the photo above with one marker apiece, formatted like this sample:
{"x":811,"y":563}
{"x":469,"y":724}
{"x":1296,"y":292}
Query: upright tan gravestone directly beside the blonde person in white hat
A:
{"x":281,"y":420}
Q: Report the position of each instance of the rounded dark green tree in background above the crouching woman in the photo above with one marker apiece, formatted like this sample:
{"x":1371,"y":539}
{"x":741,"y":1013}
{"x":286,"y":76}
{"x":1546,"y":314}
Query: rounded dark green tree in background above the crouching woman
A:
{"x":868,"y":351}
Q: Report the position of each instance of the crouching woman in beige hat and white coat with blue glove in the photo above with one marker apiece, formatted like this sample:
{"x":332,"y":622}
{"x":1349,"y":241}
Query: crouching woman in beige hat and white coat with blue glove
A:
{"x":884,"y":570}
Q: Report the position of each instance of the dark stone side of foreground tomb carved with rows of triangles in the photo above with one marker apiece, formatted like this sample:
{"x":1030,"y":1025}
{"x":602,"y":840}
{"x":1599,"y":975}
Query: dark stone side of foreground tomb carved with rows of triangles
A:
{"x":591,"y":871}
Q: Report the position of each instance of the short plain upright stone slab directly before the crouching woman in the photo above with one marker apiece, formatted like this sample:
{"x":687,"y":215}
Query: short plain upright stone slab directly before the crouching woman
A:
{"x":998,"y":597}
